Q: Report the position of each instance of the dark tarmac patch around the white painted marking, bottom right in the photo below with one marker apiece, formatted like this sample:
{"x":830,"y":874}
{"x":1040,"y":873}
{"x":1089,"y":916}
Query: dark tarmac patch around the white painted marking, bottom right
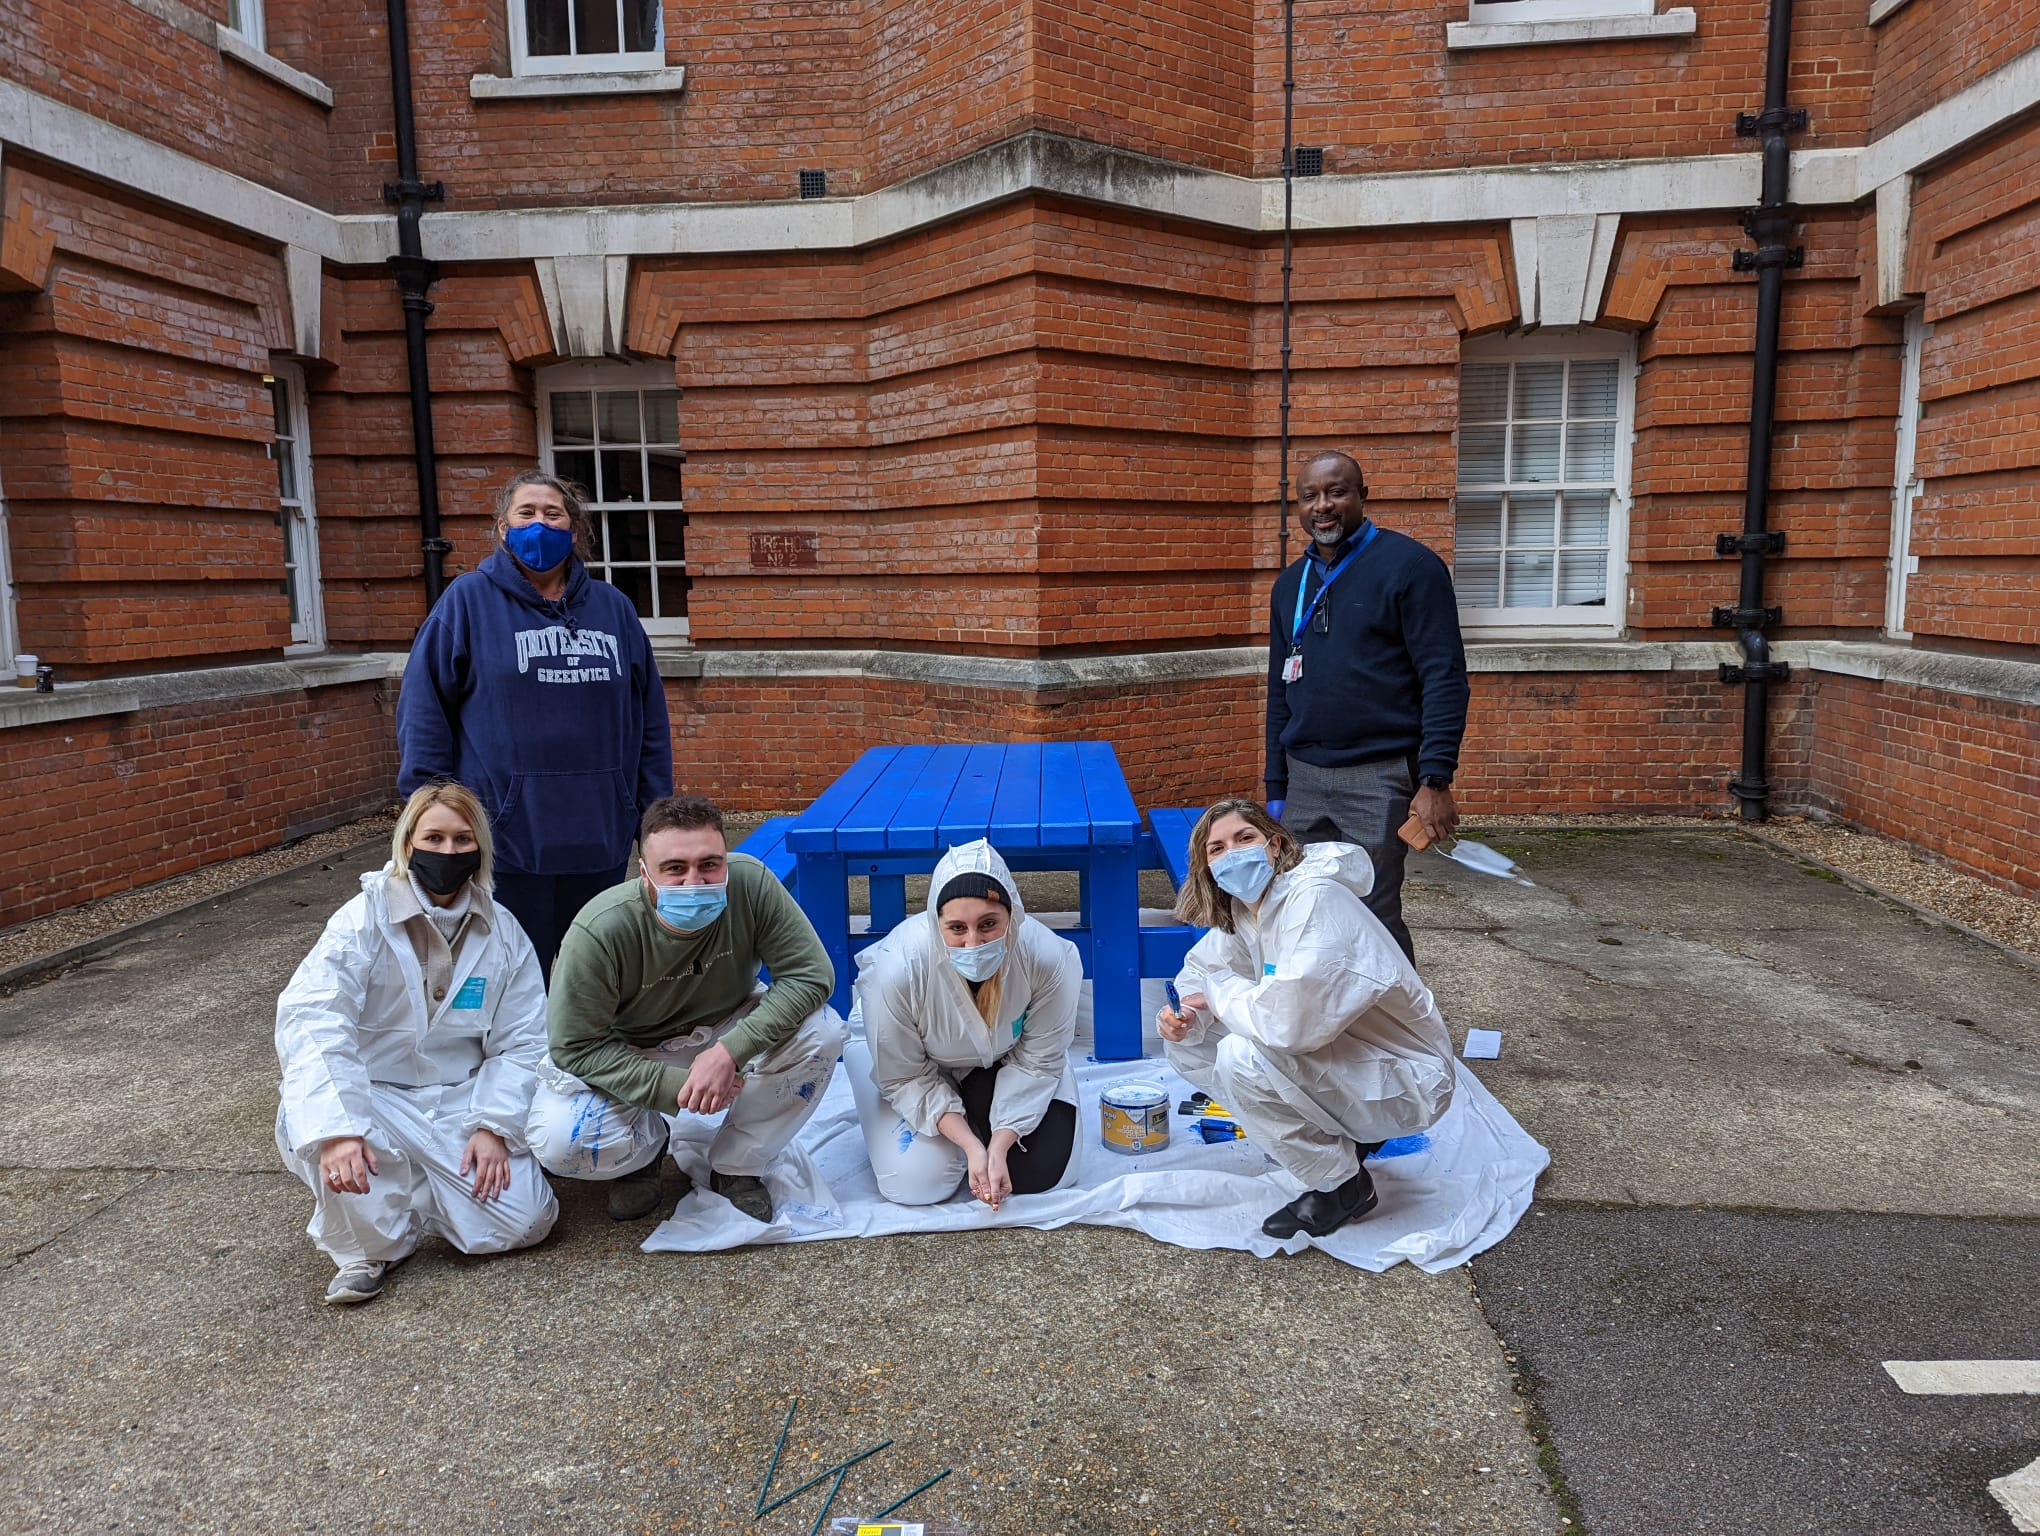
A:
{"x":1723,"y":1374}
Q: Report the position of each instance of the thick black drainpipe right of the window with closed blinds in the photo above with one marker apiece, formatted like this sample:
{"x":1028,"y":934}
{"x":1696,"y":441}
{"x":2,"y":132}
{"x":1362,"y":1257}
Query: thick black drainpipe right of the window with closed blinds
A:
{"x":1770,"y":223}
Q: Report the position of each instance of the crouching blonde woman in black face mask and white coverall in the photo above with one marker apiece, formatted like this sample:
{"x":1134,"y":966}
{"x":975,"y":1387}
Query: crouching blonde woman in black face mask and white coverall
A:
{"x":409,"y":1039}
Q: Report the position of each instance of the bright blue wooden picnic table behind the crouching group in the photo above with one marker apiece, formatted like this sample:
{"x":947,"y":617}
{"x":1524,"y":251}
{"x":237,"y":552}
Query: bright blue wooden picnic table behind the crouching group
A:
{"x":897,"y":811}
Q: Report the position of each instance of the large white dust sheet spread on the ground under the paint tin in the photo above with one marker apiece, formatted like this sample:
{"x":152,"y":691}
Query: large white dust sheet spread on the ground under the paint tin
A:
{"x":1445,"y":1196}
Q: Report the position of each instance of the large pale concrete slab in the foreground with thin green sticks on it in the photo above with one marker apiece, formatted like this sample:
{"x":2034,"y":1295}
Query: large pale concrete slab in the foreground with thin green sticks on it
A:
{"x":168,"y":1364}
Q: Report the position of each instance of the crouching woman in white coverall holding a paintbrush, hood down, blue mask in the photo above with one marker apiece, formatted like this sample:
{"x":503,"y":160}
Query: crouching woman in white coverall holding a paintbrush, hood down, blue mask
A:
{"x":1300,"y":1015}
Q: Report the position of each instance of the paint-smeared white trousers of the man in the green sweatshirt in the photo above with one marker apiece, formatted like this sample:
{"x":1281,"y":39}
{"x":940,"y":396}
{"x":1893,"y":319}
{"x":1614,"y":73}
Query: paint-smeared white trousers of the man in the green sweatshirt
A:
{"x":586,"y":1135}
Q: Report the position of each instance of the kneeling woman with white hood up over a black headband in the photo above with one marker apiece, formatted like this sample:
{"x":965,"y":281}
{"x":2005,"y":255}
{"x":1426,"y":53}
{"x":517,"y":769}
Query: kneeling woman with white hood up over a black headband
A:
{"x":968,"y":1023}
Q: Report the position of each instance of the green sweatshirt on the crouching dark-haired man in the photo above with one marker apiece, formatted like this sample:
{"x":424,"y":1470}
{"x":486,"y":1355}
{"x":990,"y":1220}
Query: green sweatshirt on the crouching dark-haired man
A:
{"x":627,"y":980}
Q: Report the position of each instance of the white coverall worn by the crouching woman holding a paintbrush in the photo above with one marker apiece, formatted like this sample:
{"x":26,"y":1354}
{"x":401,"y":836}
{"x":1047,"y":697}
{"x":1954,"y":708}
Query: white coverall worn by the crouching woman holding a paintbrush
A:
{"x":1319,"y":1031}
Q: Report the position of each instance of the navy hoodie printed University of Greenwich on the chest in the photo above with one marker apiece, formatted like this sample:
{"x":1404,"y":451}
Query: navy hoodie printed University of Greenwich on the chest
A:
{"x":550,"y":711}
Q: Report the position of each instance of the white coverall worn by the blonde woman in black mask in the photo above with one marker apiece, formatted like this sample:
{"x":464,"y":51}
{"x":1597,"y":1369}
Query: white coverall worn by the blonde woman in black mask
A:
{"x":366,"y":1054}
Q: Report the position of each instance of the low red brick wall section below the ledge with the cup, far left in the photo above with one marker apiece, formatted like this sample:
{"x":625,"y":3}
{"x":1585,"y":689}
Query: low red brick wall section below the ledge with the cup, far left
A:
{"x":125,"y":801}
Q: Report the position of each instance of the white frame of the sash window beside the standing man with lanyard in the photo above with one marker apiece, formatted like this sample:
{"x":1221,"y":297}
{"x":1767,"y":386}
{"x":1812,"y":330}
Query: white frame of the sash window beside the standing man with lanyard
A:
{"x":1574,"y":621}
